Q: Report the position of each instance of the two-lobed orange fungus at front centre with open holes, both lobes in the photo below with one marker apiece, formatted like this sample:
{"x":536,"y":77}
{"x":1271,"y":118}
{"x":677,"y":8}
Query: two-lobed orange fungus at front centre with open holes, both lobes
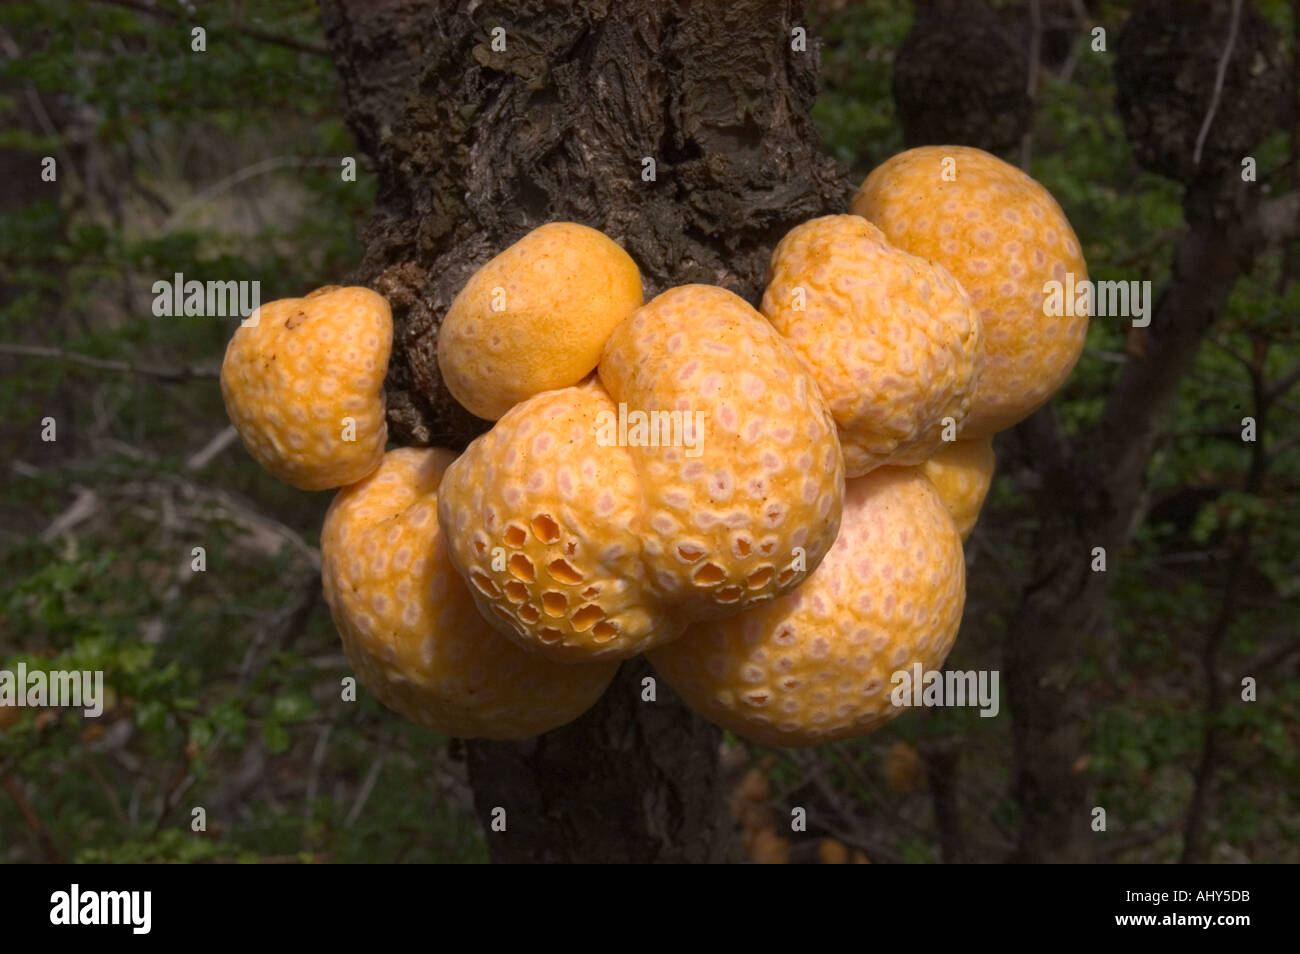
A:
{"x":584,"y":539}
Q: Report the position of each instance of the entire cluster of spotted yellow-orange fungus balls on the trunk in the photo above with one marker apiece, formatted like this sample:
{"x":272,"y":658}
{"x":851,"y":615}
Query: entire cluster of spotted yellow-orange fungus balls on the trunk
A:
{"x":769,"y":504}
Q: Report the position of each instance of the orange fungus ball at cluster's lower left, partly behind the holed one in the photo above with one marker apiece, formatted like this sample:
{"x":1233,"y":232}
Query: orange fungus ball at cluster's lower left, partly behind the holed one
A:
{"x":411,"y":628}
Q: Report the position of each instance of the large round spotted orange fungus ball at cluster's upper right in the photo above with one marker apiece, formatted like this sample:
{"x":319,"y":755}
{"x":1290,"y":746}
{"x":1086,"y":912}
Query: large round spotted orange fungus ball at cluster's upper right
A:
{"x":1004,"y":237}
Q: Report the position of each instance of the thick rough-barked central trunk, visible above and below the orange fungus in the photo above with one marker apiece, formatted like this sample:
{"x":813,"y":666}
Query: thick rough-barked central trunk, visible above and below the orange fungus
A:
{"x":679,"y":129}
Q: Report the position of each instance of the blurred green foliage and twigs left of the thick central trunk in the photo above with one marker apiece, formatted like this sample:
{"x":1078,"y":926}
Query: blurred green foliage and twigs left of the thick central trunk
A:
{"x":223,"y":687}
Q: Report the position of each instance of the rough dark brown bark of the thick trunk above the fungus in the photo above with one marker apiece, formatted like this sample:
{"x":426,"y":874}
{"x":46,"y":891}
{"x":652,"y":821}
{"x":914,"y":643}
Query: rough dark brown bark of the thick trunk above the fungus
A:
{"x":476,"y":148}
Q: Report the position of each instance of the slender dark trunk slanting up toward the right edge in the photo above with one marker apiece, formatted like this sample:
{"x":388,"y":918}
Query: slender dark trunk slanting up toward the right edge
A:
{"x":1093,"y":496}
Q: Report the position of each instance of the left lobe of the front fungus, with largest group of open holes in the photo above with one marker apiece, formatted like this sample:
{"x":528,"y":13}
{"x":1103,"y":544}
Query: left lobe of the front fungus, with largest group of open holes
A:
{"x":544,"y":526}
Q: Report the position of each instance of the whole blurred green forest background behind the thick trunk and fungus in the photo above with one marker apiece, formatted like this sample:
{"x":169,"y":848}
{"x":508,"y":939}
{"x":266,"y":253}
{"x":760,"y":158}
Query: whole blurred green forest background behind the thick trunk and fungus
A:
{"x":224,"y":684}
